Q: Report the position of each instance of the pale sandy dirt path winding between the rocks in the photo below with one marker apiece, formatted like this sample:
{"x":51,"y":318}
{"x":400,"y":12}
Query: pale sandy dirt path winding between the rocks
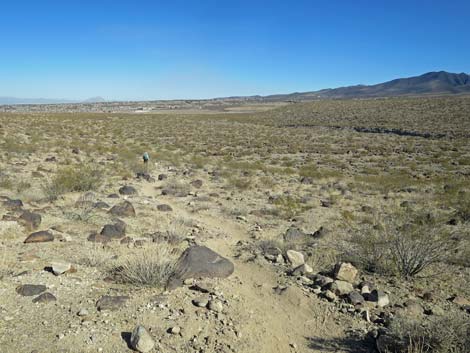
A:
{"x":284,"y":322}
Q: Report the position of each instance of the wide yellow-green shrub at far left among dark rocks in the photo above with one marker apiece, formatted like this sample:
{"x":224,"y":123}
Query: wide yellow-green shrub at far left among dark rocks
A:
{"x":83,"y":177}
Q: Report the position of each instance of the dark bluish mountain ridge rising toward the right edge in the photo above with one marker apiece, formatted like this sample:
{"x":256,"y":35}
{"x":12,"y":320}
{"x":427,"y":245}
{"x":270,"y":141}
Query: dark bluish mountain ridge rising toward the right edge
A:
{"x":431,"y":83}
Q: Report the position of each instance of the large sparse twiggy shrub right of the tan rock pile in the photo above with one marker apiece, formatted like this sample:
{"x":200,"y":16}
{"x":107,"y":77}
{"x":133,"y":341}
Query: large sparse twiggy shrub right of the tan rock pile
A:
{"x":403,"y":243}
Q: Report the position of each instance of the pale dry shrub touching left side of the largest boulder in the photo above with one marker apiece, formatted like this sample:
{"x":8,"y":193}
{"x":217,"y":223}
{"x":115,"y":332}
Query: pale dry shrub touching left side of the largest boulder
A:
{"x":150,"y":266}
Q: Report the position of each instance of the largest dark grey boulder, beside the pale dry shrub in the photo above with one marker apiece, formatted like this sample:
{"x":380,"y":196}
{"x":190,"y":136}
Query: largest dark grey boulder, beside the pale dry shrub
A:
{"x":198,"y":262}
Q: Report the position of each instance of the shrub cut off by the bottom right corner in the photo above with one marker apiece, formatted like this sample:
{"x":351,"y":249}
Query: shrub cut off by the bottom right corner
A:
{"x":447,"y":334}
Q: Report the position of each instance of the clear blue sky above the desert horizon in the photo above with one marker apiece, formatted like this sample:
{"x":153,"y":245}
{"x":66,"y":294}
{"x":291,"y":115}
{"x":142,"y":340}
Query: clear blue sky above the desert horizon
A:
{"x":197,"y":49}
